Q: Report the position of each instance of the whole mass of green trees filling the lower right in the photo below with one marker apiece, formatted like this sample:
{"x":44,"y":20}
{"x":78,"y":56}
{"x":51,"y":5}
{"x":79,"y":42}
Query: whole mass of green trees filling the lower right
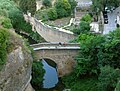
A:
{"x":99,"y":56}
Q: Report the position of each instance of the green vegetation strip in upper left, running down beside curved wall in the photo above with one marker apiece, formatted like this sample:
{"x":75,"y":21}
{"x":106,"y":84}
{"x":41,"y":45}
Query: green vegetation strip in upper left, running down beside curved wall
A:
{"x":10,"y":10}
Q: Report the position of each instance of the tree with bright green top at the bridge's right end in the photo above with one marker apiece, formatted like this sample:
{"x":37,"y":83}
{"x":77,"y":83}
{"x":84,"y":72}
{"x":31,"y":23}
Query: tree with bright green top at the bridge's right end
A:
{"x":87,"y":60}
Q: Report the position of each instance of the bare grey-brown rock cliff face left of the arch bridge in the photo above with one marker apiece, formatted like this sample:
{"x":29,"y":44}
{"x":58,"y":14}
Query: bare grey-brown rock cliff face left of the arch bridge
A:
{"x":16,"y":73}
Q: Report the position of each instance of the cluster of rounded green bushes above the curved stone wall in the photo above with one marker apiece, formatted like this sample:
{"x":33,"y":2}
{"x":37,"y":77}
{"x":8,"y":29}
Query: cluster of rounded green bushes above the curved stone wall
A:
{"x":61,"y":8}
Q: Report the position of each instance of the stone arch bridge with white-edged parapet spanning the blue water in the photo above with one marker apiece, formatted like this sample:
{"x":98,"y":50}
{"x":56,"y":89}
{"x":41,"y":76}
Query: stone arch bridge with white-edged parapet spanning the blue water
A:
{"x":62,"y":54}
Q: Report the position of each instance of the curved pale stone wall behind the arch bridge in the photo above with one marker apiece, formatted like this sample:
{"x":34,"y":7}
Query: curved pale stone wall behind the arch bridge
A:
{"x":49,"y":33}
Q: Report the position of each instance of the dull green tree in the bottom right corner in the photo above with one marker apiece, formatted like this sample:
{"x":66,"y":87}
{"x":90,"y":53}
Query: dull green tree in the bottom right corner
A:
{"x":108,"y":78}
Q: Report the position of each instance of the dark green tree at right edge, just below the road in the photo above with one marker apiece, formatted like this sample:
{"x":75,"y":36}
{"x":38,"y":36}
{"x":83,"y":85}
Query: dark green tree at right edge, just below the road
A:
{"x":109,"y":53}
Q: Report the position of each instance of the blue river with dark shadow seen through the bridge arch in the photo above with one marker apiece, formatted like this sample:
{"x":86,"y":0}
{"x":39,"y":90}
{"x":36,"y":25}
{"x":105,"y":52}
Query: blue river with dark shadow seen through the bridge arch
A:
{"x":51,"y":81}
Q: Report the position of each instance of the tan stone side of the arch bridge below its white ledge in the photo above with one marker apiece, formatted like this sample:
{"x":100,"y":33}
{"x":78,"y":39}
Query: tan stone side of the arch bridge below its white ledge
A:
{"x":65,"y":59}
